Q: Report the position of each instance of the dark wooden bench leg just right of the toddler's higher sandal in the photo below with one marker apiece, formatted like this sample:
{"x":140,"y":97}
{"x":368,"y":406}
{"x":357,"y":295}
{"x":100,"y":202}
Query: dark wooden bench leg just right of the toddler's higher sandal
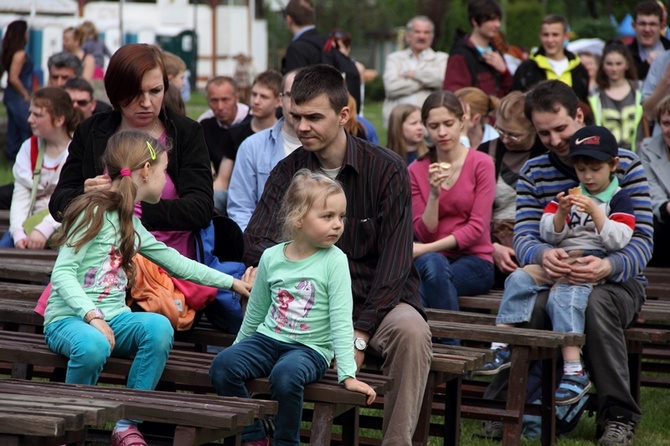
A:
{"x":516,"y":396}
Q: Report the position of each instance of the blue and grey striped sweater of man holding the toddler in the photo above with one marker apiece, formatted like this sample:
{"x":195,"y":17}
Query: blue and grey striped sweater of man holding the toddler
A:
{"x":543,"y":177}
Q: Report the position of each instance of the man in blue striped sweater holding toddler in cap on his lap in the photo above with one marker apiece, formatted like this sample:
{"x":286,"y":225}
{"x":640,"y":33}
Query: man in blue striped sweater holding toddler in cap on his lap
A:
{"x":553,"y":108}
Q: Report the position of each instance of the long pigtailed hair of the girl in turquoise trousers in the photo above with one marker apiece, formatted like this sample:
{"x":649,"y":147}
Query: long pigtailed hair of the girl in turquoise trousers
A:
{"x":84,"y":216}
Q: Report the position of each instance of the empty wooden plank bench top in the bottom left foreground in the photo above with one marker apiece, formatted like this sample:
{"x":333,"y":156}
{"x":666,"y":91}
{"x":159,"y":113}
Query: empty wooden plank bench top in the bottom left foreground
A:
{"x":65,"y":408}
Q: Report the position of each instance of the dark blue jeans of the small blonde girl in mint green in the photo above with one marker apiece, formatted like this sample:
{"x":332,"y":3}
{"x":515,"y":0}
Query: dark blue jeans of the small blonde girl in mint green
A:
{"x":289,"y":367}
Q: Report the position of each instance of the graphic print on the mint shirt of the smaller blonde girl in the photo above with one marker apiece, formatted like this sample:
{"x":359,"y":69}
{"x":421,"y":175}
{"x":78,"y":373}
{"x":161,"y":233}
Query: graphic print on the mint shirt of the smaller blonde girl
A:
{"x":294,"y":308}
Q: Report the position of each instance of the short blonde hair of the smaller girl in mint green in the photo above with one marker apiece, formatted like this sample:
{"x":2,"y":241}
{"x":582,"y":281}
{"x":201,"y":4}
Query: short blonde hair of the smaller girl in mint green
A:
{"x":306,"y":188}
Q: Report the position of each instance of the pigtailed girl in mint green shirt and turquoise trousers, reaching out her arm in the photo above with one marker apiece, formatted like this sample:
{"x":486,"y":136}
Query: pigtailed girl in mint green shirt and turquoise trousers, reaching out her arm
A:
{"x":86,"y":317}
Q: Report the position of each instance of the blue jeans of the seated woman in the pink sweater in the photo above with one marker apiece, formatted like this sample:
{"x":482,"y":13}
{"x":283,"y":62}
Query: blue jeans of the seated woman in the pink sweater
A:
{"x":444,"y":279}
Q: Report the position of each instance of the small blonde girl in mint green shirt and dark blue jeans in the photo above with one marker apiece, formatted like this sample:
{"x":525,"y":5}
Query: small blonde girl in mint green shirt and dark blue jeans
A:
{"x":299,"y":313}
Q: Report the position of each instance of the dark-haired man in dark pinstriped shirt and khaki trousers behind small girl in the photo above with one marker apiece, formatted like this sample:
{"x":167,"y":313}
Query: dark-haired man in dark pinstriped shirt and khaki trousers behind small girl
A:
{"x":377,"y":239}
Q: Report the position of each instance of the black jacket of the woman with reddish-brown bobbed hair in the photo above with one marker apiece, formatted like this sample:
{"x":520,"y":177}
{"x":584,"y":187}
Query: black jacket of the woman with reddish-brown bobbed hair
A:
{"x":188,"y":167}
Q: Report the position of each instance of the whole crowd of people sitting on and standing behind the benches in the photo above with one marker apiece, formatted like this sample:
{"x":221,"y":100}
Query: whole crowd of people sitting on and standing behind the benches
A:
{"x":545,"y":174}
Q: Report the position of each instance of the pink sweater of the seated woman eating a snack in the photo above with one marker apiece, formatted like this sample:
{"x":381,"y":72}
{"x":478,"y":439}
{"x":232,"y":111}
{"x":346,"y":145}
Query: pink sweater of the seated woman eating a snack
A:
{"x":465,"y":209}
